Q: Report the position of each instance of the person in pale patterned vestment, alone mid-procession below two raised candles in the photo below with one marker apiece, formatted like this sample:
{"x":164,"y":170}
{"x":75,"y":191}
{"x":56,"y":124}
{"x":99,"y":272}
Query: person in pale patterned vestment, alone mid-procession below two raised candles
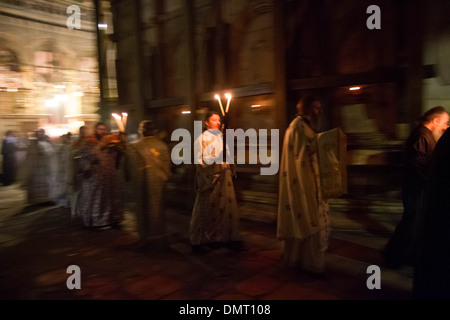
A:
{"x":215,"y":216}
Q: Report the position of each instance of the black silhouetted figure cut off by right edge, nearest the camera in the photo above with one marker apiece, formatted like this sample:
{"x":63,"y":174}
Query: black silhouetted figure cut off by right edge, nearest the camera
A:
{"x":432,"y":268}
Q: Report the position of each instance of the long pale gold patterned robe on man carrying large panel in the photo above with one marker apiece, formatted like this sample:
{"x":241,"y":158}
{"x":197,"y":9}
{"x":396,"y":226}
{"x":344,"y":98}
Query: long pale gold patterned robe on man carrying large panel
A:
{"x":303,"y":213}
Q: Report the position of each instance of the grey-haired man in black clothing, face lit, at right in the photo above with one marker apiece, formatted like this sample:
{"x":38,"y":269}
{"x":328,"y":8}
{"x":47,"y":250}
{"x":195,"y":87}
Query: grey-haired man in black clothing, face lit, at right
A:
{"x":419,"y":147}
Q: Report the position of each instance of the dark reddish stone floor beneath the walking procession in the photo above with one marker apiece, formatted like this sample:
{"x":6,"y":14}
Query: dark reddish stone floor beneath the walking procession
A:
{"x":38,"y":244}
